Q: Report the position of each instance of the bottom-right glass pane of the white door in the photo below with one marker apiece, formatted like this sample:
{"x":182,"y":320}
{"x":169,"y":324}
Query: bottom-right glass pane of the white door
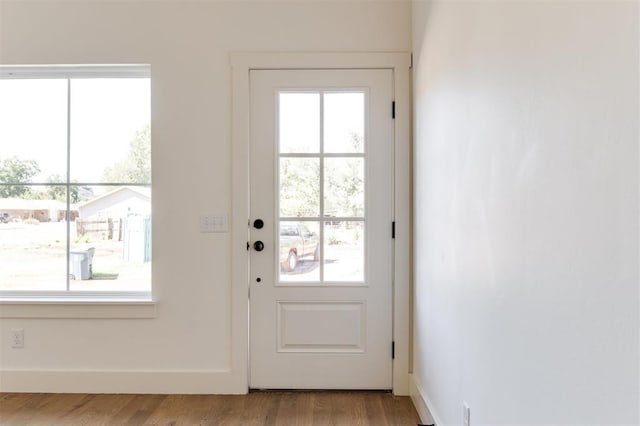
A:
{"x":344,"y":251}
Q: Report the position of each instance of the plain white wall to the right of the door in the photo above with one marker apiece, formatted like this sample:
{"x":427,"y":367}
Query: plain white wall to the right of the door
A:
{"x":526,"y":211}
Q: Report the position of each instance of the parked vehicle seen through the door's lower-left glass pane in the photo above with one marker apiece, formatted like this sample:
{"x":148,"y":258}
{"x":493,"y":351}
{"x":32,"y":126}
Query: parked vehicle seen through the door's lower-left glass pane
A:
{"x":296,"y":241}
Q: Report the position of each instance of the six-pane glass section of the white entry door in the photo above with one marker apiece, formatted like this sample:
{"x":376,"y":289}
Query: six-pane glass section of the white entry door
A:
{"x":306,"y":255}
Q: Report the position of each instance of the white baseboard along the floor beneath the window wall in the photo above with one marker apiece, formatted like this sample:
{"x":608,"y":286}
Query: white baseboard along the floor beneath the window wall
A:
{"x":153,"y":382}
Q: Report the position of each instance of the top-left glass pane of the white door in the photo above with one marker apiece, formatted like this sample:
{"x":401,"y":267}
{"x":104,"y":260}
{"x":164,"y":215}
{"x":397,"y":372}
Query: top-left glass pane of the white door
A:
{"x":299,"y":123}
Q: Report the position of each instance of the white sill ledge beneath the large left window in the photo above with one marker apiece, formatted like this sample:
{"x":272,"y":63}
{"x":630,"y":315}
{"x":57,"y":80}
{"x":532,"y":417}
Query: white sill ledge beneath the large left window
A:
{"x":77,"y":308}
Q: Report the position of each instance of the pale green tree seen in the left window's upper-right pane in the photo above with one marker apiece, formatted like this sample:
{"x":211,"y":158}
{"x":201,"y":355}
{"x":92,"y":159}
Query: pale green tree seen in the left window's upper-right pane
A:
{"x":136,"y":167}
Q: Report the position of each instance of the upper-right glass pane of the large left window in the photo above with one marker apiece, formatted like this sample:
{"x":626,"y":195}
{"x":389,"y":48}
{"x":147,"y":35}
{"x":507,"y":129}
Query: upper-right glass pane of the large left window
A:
{"x":110,"y":134}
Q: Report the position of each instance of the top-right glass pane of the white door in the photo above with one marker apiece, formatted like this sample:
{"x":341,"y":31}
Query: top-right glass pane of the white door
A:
{"x":344,"y":122}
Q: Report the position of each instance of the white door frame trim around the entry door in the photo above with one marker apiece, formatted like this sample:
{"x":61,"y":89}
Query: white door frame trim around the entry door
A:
{"x":241,"y":64}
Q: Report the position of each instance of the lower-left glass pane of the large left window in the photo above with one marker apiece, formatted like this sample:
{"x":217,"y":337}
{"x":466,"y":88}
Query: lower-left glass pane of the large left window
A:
{"x":33,"y":242}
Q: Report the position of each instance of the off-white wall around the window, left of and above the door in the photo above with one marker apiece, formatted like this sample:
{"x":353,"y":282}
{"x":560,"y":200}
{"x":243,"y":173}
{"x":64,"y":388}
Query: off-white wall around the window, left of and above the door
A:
{"x":188,"y":46}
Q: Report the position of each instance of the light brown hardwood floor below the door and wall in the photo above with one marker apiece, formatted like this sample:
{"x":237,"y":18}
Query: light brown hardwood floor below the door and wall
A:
{"x":259,"y":408}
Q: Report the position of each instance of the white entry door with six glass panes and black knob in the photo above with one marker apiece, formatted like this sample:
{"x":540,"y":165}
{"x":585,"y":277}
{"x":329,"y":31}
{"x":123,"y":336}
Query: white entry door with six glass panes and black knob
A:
{"x":321,"y":206}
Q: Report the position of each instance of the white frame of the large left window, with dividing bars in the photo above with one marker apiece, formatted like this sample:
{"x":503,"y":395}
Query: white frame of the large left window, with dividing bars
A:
{"x":14,"y":302}
